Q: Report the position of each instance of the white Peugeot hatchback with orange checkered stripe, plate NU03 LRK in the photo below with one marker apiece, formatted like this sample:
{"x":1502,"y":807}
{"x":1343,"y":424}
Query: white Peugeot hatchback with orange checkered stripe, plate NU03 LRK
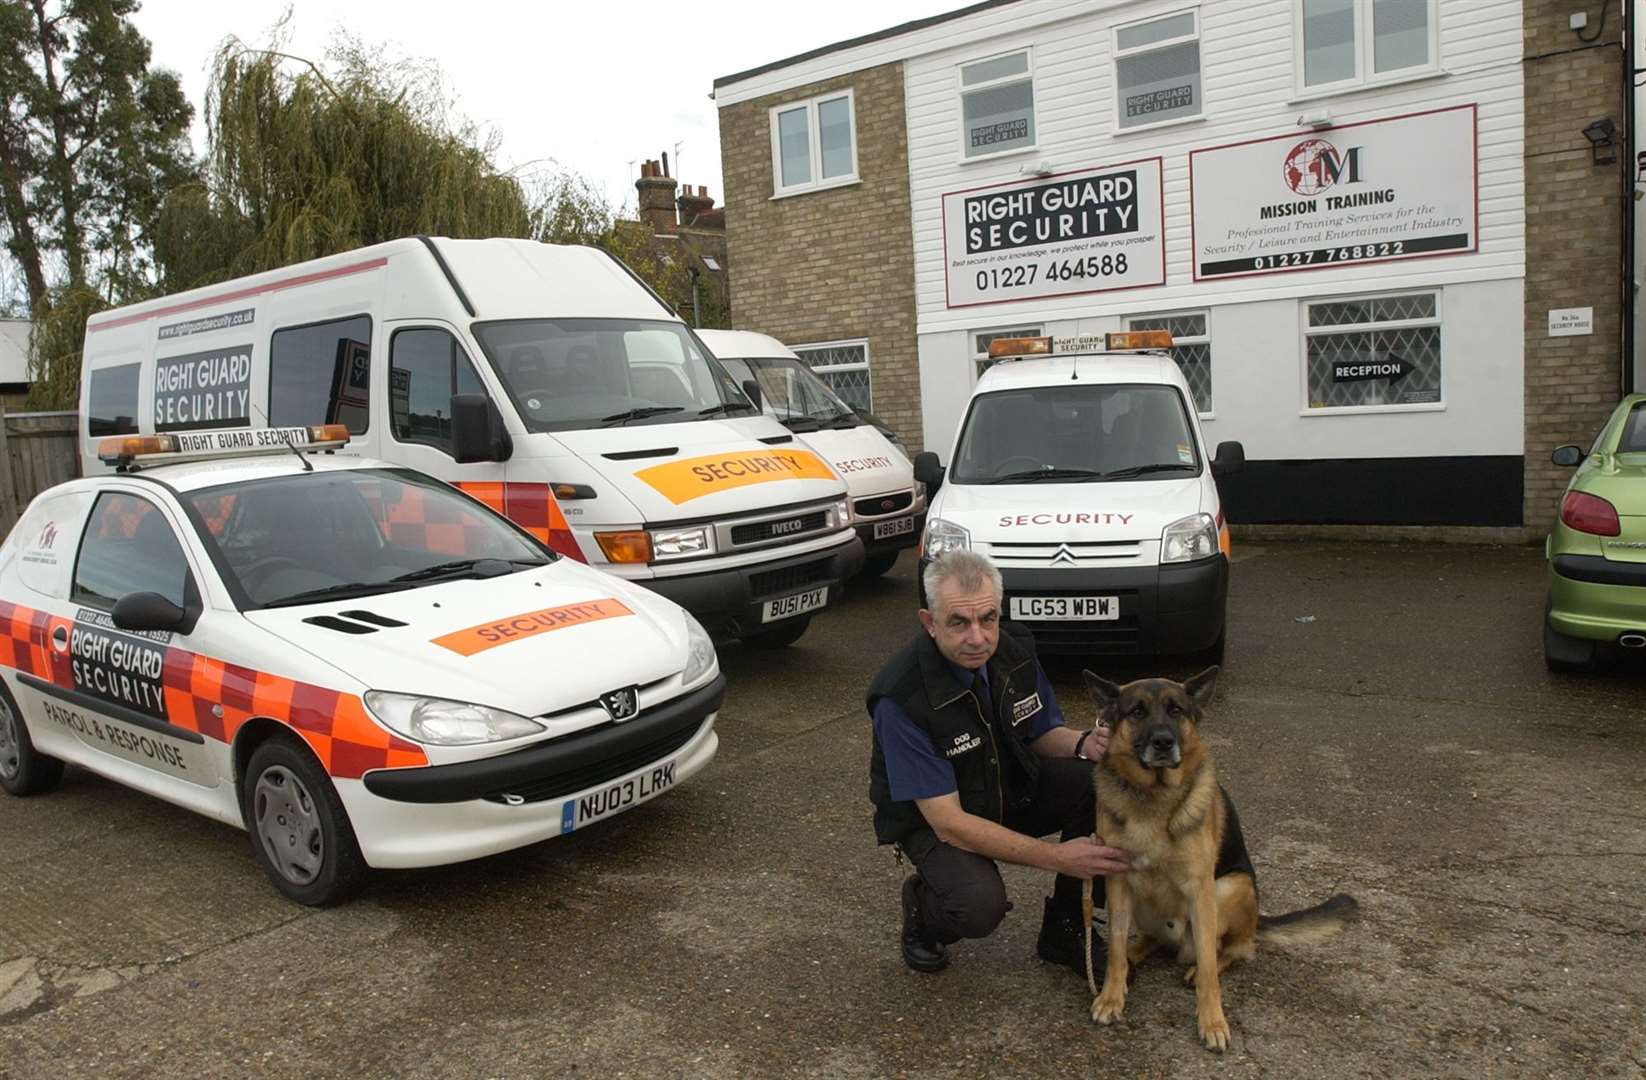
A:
{"x":355,"y":663}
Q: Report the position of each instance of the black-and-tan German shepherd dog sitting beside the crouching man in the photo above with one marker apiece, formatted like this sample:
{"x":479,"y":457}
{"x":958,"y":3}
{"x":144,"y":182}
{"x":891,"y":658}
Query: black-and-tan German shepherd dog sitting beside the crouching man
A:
{"x":1193,"y":887}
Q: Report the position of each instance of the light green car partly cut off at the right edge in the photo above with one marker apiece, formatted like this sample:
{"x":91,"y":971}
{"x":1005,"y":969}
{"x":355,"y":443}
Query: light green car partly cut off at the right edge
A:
{"x":1597,"y":551}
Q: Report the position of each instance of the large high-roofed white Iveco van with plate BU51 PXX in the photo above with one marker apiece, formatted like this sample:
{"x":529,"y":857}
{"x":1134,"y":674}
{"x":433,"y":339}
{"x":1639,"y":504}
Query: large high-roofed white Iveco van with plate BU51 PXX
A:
{"x":546,"y":381}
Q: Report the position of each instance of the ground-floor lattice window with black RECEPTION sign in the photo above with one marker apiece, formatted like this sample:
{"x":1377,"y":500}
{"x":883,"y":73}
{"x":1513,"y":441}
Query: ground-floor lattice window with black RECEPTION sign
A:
{"x":1357,"y":333}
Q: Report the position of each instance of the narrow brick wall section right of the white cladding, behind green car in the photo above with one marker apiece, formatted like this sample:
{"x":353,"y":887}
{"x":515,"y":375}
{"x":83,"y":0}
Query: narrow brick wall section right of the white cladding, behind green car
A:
{"x":1574,"y":228}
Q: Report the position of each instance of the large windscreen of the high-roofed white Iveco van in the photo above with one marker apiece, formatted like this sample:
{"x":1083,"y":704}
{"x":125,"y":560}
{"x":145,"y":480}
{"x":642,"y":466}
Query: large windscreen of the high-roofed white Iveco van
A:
{"x":575,"y":375}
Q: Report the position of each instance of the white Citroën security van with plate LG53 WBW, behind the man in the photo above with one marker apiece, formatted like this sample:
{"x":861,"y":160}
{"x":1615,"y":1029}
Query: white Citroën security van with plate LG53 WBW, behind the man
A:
{"x":1082,"y":472}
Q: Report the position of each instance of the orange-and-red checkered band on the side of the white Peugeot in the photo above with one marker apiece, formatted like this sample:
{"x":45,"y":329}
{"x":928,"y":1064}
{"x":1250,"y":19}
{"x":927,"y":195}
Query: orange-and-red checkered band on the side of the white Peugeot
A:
{"x":337,"y":727}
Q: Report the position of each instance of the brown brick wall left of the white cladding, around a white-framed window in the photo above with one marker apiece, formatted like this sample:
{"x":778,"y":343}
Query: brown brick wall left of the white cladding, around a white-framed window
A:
{"x":835,"y":264}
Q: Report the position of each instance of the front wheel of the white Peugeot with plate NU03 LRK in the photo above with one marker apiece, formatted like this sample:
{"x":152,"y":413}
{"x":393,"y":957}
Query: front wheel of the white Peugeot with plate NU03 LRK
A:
{"x":300,"y":832}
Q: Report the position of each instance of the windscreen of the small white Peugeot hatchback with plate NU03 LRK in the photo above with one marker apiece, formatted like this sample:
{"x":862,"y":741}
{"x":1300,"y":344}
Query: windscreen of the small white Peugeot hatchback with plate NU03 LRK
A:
{"x":328,"y":536}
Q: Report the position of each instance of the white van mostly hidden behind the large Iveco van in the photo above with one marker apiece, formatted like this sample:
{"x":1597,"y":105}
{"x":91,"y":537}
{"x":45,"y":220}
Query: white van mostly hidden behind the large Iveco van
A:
{"x":888,"y":506}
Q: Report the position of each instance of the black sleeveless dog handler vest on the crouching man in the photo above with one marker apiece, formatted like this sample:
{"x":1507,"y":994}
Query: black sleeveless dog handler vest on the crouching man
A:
{"x":995,"y":770}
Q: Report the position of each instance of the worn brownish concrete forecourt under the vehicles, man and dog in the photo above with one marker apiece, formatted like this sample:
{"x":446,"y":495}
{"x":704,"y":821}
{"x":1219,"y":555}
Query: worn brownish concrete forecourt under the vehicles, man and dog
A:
{"x":1385,"y":725}
